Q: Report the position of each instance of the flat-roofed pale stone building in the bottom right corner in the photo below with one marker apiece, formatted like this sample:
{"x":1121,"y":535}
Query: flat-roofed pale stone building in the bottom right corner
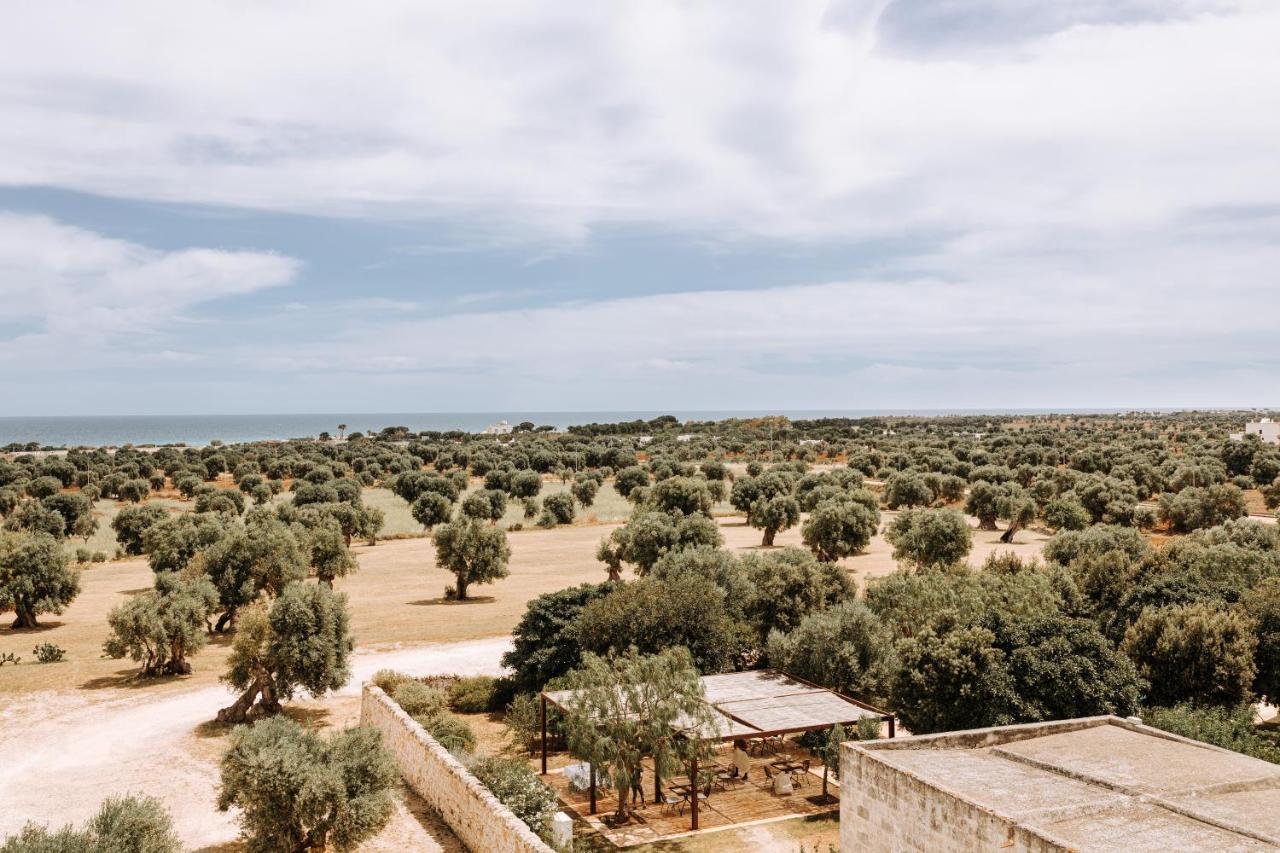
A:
{"x":1091,"y":784}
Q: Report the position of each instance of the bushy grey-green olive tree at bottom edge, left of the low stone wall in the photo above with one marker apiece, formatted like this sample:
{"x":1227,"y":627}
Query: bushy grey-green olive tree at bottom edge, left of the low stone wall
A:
{"x":300,"y":792}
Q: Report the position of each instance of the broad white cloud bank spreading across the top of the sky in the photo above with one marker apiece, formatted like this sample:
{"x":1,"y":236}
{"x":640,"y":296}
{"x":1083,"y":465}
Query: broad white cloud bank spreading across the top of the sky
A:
{"x":757,"y":118}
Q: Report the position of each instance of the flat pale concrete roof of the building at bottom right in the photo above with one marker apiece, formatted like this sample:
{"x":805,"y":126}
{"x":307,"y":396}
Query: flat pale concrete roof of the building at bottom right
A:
{"x":1101,"y":784}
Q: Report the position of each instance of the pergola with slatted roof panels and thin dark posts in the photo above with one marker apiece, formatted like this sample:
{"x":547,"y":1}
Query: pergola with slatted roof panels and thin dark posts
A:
{"x":761,"y":704}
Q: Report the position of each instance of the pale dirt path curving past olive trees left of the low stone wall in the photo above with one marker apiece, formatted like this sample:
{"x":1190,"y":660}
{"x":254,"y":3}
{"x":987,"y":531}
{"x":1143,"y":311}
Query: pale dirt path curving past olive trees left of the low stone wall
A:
{"x":62,"y":752}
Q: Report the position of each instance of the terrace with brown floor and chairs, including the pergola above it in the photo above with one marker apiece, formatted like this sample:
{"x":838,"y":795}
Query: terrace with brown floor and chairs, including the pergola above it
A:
{"x":784,"y":781}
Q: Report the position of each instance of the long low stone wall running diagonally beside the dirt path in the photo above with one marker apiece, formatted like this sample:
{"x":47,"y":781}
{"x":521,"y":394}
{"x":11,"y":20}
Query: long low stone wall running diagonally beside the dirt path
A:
{"x":470,"y":809}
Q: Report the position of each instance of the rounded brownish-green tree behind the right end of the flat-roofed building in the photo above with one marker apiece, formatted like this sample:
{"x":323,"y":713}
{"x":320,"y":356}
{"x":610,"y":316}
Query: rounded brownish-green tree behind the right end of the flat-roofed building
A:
{"x":1201,"y":654}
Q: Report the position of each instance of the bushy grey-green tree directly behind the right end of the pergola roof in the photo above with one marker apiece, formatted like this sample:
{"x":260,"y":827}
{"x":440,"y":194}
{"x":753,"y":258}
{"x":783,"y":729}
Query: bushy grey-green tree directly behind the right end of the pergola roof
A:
{"x":845,"y":649}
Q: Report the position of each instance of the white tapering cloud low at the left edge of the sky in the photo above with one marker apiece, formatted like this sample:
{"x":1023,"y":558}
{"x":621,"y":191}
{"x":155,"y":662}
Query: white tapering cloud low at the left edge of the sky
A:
{"x":70,"y":286}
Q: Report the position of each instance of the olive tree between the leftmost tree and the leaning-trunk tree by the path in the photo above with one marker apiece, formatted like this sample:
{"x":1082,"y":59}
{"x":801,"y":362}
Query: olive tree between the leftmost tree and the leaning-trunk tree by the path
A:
{"x":162,"y":628}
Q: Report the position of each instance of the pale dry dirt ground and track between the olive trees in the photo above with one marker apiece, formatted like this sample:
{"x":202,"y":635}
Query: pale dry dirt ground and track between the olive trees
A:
{"x":76,"y":732}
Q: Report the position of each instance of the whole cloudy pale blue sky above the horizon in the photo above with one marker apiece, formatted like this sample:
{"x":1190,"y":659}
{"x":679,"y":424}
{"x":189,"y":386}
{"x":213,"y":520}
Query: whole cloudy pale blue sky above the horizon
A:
{"x":638,"y":206}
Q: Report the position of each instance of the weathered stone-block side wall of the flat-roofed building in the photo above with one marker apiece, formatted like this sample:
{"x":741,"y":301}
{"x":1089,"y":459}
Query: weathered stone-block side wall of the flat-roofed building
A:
{"x":886,"y":809}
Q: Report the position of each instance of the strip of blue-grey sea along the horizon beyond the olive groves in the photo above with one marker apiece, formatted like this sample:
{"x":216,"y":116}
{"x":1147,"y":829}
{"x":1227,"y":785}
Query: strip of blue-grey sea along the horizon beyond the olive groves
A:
{"x":98,"y":431}
